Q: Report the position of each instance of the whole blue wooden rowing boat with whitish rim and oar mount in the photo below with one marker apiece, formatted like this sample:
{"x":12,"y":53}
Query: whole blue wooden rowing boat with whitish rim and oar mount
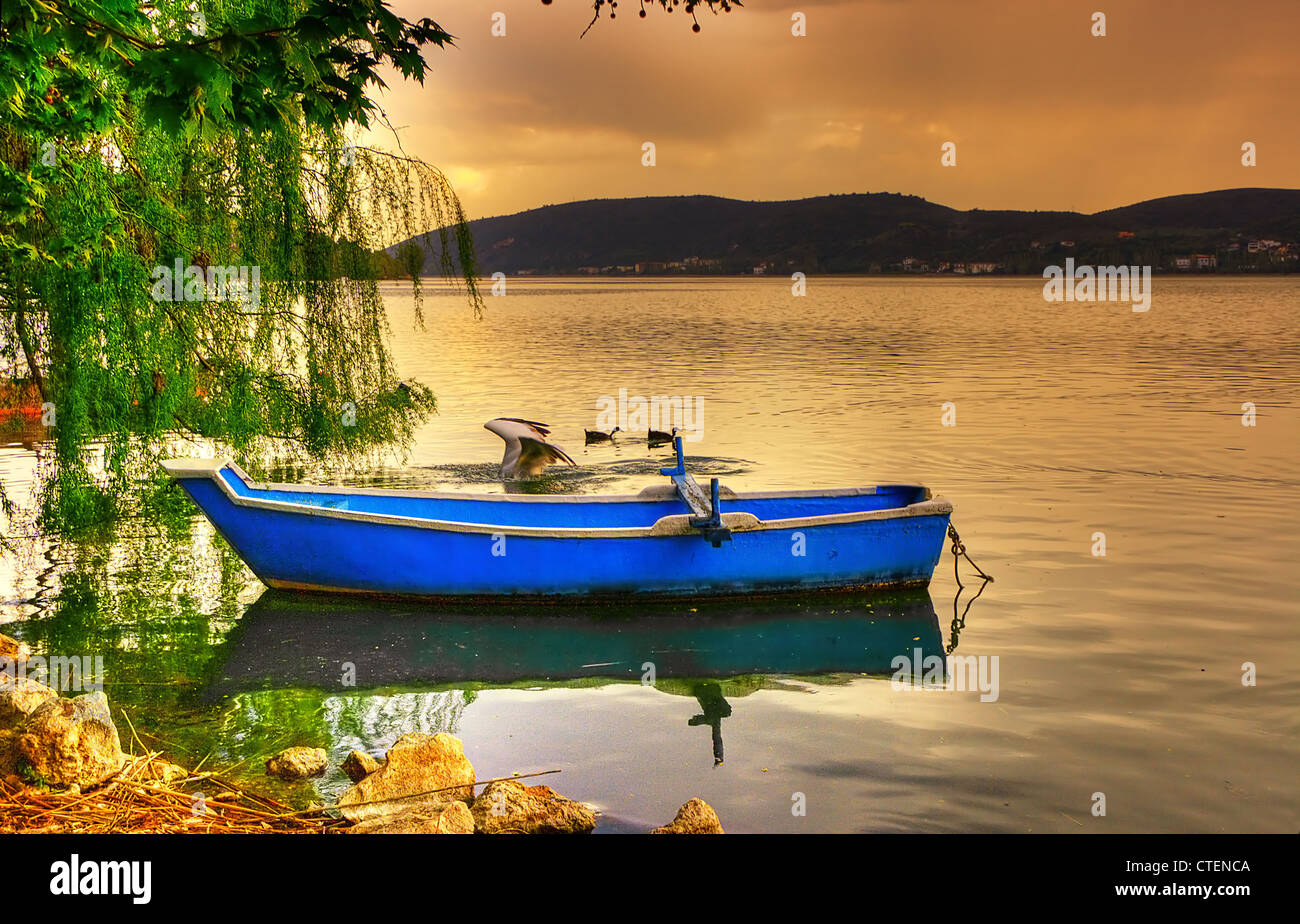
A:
{"x":671,"y":540}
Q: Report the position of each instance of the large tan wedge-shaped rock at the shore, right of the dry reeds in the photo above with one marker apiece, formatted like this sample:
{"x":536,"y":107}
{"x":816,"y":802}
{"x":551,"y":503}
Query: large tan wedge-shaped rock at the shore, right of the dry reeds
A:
{"x":417,"y":764}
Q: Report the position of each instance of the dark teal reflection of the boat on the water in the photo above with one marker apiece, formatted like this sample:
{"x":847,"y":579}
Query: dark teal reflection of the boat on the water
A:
{"x":707,"y":650}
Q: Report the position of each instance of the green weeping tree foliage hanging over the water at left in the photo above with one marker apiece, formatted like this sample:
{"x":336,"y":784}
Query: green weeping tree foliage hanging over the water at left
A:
{"x":189,"y":242}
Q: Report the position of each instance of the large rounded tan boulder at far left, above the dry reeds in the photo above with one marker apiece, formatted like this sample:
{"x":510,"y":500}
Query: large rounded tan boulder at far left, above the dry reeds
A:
{"x":71,"y":743}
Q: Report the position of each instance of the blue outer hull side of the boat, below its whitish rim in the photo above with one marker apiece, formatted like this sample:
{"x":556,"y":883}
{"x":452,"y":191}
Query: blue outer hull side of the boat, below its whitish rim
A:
{"x":310,"y":548}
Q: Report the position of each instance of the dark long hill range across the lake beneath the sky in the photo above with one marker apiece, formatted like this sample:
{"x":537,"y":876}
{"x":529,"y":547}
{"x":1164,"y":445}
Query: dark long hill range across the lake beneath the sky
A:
{"x":882,"y":232}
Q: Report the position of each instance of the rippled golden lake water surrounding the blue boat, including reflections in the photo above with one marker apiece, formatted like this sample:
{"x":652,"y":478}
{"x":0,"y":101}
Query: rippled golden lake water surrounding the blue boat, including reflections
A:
{"x":1117,"y":674}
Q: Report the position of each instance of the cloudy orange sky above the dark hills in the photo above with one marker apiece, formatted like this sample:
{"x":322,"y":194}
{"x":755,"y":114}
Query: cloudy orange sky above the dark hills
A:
{"x":1045,"y":115}
